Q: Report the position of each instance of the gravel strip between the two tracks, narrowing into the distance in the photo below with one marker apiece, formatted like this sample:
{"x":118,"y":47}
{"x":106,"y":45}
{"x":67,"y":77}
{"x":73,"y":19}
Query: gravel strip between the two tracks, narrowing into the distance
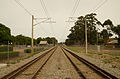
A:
{"x":58,"y":67}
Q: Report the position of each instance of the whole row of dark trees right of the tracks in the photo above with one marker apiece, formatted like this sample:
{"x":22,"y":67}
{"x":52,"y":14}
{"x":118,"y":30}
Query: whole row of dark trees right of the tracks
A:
{"x":95,"y":36}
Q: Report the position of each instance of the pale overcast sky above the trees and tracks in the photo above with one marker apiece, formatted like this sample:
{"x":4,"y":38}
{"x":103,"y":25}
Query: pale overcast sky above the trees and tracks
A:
{"x":20,"y":22}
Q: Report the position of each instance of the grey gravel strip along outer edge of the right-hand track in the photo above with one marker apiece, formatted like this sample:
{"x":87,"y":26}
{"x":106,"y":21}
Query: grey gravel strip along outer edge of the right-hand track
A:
{"x":100,"y":64}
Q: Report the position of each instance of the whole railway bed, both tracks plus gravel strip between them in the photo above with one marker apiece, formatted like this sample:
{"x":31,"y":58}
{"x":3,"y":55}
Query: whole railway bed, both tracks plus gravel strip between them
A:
{"x":59,"y":63}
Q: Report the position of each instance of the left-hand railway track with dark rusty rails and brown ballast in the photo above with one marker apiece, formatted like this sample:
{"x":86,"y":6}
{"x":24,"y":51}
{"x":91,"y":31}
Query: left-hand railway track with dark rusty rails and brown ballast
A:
{"x":30,"y":70}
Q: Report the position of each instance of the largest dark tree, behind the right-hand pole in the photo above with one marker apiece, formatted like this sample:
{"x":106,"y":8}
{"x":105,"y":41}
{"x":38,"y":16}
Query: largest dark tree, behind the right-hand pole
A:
{"x":77,"y":35}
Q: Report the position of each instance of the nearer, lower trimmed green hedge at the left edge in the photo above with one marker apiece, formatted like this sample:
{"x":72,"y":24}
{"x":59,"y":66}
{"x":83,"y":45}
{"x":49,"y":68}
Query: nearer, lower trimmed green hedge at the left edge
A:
{"x":4,"y":55}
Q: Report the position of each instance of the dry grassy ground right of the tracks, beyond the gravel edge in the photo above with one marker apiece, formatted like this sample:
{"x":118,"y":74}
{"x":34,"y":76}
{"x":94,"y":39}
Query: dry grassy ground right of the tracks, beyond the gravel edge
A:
{"x":106,"y":56}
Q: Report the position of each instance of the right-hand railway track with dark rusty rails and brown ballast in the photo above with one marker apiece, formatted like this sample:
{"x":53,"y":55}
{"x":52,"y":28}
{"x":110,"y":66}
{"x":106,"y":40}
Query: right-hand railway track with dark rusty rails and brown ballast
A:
{"x":85,"y":69}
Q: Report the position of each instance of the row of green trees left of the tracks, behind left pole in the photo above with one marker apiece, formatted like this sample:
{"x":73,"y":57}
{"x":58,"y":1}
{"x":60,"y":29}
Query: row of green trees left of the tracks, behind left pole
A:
{"x":5,"y":36}
